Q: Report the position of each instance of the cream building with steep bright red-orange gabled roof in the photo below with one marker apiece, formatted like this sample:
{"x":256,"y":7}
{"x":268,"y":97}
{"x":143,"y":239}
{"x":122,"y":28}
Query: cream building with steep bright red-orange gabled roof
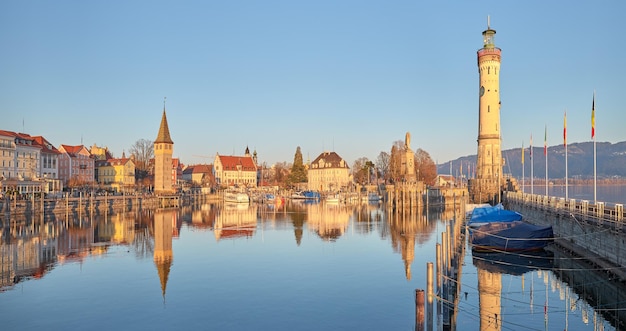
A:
{"x":235,"y":170}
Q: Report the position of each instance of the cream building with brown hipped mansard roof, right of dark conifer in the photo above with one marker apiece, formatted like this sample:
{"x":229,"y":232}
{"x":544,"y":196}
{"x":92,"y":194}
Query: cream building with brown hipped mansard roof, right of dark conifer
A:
{"x":329,"y":172}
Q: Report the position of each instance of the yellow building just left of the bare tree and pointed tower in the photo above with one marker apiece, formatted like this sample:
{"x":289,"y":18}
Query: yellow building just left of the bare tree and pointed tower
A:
{"x":116,"y":174}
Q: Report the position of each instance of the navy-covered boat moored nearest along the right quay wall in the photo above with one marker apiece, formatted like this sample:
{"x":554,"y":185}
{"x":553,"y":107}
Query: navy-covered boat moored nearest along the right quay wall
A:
{"x":510,"y":237}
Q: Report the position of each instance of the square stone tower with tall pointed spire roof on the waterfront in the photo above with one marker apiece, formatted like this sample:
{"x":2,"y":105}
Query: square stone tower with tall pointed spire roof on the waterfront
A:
{"x":163,"y":150}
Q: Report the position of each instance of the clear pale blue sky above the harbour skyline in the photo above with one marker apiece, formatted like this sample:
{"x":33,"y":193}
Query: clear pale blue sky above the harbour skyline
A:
{"x":351,"y":76}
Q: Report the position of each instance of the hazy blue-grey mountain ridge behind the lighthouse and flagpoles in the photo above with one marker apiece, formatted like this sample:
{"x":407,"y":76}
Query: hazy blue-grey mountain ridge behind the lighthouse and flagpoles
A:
{"x":610,"y":161}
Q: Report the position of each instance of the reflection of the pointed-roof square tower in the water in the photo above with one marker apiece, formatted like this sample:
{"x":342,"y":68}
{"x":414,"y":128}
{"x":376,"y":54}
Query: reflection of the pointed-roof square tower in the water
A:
{"x":165,"y":221}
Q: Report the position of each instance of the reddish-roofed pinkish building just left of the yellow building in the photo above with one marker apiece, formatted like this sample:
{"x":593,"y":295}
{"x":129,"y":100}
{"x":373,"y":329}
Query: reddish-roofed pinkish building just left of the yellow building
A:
{"x":76,"y":166}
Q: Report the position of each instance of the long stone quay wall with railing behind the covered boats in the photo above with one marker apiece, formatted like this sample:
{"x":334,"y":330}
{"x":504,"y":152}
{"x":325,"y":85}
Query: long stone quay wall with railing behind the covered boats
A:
{"x":591,"y":230}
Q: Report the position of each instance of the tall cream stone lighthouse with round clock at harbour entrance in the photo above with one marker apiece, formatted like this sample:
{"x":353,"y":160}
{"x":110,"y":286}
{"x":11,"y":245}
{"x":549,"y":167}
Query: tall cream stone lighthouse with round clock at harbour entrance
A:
{"x":486,"y":186}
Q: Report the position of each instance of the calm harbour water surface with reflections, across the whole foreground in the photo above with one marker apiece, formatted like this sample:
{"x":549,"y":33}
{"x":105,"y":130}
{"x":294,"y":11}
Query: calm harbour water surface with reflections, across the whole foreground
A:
{"x":293,"y":267}
